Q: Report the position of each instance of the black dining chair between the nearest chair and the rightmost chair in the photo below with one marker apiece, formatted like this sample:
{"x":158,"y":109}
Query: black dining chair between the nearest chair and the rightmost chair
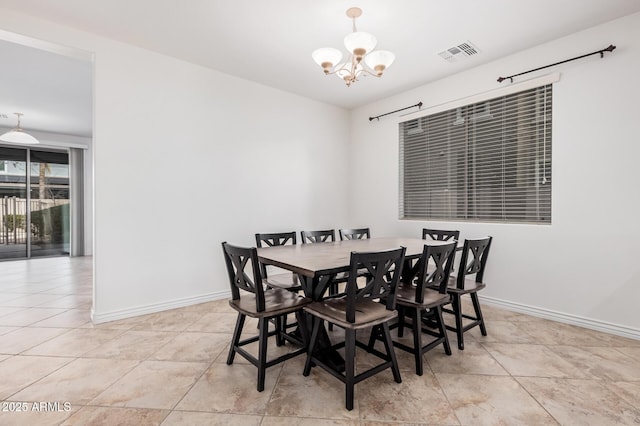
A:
{"x":418,"y":299}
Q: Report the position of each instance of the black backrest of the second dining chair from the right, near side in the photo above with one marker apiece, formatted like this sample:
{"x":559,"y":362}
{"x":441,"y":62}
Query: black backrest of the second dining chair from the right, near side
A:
{"x":434,"y":268}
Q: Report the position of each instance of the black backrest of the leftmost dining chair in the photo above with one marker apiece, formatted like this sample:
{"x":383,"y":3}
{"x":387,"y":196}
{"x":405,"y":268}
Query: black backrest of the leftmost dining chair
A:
{"x":240,"y":261}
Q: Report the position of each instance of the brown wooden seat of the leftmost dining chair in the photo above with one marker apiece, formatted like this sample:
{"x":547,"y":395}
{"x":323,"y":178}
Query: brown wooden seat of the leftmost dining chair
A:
{"x":277,"y":302}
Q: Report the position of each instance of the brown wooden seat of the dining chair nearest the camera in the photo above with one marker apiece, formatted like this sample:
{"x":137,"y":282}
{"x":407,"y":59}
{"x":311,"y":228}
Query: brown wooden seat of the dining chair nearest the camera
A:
{"x":368,"y":313}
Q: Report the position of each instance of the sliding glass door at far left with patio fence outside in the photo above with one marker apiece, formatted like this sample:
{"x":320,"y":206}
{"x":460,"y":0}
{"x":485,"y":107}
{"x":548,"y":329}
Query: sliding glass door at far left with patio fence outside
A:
{"x":34,"y":192}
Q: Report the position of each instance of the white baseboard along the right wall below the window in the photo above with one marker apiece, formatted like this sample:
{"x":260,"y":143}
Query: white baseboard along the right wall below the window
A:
{"x":593,"y":324}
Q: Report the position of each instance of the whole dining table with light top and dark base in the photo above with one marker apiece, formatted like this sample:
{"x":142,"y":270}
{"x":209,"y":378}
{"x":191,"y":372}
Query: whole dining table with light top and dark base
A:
{"x":317,"y":265}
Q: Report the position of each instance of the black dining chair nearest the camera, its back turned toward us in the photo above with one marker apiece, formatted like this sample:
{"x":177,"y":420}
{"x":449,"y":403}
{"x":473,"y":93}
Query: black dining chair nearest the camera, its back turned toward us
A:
{"x":359,"y":310}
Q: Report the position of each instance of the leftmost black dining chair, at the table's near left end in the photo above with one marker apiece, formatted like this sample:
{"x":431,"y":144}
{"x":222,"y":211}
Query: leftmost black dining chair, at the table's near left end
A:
{"x":250,"y":299}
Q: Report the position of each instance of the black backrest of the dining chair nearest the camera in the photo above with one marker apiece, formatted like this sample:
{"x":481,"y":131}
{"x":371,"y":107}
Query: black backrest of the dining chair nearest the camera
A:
{"x":383,"y":270}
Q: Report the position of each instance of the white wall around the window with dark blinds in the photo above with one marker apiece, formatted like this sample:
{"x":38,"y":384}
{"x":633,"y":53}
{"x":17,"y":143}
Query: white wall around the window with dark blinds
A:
{"x":582,"y":268}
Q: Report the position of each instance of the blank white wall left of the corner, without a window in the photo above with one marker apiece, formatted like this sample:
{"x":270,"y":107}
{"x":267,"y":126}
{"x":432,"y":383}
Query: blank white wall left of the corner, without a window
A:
{"x":185,"y":158}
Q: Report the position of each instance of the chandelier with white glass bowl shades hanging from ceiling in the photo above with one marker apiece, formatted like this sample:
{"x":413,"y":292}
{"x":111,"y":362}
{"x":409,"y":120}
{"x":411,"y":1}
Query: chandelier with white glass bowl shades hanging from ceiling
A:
{"x":360,"y":46}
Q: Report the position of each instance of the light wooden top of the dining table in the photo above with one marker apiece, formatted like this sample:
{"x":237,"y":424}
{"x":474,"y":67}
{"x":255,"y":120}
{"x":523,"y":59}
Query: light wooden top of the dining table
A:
{"x":317,"y":259}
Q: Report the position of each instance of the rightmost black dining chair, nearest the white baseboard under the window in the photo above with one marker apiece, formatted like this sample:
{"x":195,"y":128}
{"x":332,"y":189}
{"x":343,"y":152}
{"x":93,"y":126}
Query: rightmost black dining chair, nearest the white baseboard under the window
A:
{"x":469,"y":280}
